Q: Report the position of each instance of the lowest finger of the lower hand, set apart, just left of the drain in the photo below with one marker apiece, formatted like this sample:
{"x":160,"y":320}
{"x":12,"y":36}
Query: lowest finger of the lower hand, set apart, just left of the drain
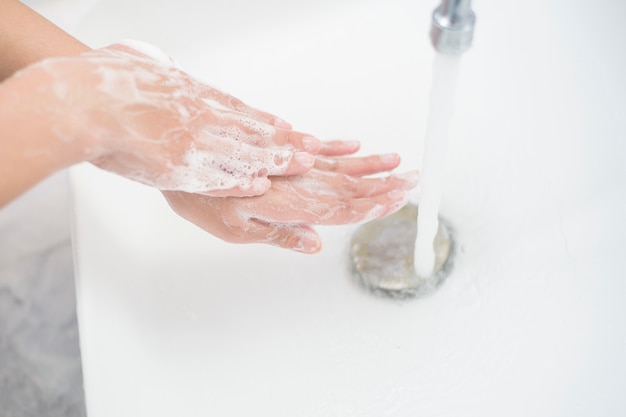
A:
{"x":300,"y":238}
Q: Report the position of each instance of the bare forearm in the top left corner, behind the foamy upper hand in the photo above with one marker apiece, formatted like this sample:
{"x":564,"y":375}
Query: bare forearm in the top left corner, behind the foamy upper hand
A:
{"x":27,"y":37}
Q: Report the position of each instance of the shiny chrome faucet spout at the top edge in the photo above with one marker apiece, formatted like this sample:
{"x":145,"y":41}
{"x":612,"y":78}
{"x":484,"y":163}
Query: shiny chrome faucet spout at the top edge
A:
{"x":452,"y":27}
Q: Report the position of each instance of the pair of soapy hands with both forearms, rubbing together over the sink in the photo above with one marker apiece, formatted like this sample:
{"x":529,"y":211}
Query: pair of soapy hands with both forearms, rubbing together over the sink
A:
{"x":239,"y":173}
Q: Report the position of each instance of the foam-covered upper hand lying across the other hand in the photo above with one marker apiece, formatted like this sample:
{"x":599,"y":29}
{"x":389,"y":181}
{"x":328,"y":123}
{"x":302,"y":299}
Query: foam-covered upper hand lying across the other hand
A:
{"x":139,"y":116}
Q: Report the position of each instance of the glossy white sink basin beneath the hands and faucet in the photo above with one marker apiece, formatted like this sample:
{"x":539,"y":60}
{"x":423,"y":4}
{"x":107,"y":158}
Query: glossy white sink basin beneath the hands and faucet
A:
{"x":532,"y":321}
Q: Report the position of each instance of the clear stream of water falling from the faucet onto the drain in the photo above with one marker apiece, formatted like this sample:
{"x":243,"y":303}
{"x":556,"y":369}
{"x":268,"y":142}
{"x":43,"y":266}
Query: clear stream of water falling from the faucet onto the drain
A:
{"x":443,"y":88}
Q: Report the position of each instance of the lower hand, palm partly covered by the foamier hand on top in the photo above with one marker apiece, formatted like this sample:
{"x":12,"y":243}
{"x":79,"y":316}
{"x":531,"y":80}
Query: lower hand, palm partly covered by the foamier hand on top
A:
{"x":334,"y":192}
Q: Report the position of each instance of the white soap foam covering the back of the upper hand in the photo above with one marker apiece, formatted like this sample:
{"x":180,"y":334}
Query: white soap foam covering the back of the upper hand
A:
{"x":222,"y":154}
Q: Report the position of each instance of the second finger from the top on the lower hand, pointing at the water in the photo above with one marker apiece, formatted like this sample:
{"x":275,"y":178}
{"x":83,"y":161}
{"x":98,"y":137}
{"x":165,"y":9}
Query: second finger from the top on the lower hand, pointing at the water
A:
{"x":367,"y":165}
